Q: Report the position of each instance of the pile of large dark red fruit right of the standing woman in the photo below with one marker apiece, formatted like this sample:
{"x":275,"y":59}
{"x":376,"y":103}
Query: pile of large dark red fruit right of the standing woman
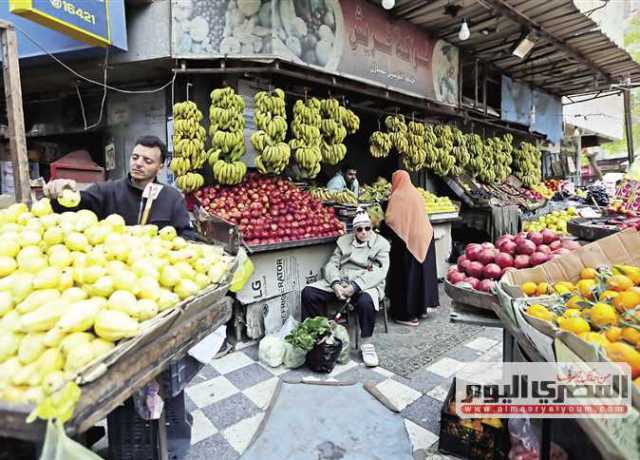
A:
{"x":482,"y":264}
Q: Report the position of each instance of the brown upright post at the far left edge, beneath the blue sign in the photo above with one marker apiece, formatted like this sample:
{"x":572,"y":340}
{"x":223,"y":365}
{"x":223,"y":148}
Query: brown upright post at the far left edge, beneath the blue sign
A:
{"x":15,"y":113}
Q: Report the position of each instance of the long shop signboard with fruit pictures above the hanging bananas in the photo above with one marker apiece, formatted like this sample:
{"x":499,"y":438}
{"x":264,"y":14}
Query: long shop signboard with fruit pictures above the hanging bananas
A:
{"x":353,"y":38}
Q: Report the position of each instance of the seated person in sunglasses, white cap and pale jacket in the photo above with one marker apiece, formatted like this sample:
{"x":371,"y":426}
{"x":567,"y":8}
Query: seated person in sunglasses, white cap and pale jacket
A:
{"x":356,"y":271}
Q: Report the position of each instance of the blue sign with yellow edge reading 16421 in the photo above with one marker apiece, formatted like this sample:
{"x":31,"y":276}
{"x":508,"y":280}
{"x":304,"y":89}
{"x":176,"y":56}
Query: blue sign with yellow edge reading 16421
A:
{"x":83,"y":20}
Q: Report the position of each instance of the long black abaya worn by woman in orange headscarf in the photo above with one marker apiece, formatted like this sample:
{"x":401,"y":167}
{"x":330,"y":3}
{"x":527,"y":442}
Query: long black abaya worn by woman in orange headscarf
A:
{"x":412,"y":286}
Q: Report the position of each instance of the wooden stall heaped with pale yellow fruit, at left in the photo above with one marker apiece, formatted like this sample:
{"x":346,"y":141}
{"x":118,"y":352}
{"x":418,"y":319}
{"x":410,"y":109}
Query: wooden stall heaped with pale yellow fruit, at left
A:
{"x":98,"y":309}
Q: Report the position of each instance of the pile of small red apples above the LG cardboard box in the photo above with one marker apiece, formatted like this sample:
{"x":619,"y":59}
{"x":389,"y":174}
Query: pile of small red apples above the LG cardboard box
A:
{"x":270,"y":210}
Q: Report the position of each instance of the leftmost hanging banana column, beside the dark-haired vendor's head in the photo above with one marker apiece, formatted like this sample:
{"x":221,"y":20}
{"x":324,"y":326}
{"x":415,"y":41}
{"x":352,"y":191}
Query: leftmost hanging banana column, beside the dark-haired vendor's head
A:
{"x":188,"y":146}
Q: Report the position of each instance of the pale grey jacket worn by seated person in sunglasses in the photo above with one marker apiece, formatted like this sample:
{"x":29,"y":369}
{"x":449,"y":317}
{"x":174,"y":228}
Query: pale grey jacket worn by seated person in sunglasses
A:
{"x":367,"y":266}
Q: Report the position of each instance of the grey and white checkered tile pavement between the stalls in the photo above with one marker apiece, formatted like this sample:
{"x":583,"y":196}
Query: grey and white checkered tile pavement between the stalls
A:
{"x":228,"y":398}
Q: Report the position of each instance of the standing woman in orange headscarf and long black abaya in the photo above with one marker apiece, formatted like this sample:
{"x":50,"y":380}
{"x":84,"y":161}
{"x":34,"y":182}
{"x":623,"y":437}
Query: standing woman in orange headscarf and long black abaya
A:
{"x":413,"y":280}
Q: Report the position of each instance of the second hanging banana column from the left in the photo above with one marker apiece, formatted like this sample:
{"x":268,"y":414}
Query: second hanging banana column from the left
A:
{"x":226,"y":130}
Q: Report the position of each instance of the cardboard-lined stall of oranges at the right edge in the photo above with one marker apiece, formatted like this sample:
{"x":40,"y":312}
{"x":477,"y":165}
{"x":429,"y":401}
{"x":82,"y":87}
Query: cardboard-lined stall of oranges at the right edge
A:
{"x":589,"y":314}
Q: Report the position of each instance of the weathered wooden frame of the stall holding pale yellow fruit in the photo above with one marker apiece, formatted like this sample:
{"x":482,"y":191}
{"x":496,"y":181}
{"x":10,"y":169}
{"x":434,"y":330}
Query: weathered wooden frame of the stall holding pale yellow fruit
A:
{"x":123,"y":378}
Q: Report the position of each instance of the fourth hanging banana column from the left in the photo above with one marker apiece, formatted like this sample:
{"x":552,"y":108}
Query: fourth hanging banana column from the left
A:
{"x":307,"y":140}
